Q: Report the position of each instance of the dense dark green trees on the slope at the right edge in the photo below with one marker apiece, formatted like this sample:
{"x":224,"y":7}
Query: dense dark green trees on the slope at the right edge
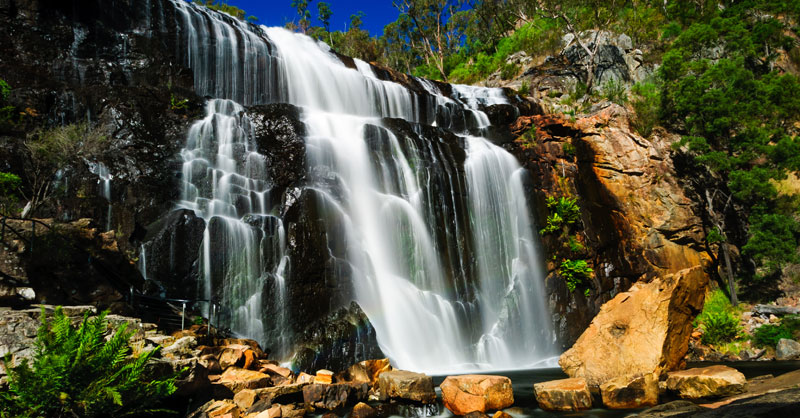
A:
{"x":737,"y":113}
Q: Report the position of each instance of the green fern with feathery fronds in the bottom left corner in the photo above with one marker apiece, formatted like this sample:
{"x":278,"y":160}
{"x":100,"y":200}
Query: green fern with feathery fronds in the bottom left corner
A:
{"x":76,"y":372}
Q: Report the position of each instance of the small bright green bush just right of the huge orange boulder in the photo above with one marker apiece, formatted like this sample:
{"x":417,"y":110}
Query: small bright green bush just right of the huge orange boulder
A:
{"x":718,"y":319}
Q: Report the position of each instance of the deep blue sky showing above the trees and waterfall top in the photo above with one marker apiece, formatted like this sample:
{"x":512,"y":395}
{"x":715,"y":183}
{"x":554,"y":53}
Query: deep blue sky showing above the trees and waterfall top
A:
{"x":277,"y":12}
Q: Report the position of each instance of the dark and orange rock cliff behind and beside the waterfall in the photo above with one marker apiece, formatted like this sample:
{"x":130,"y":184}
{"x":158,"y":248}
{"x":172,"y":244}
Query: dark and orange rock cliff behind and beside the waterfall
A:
{"x":119,"y":70}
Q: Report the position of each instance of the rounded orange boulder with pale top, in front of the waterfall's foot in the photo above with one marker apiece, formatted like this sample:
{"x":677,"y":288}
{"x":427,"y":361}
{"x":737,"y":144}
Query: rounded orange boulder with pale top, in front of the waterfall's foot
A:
{"x":468,"y":393}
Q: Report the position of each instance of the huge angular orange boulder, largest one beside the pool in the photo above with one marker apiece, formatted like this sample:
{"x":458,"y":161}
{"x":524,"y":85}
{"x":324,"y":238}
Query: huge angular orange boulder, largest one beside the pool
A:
{"x":641,"y":331}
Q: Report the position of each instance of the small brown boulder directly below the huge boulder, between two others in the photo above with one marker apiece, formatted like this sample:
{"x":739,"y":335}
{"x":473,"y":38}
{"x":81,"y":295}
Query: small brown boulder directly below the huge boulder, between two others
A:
{"x":631,"y":391}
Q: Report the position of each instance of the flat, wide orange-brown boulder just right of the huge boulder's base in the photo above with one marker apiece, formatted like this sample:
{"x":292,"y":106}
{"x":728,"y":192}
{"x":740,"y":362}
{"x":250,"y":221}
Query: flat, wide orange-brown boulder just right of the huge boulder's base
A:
{"x":706,"y":382}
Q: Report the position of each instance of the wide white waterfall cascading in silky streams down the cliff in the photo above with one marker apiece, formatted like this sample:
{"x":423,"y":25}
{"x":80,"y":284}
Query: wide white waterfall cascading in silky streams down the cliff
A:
{"x":437,"y":230}
